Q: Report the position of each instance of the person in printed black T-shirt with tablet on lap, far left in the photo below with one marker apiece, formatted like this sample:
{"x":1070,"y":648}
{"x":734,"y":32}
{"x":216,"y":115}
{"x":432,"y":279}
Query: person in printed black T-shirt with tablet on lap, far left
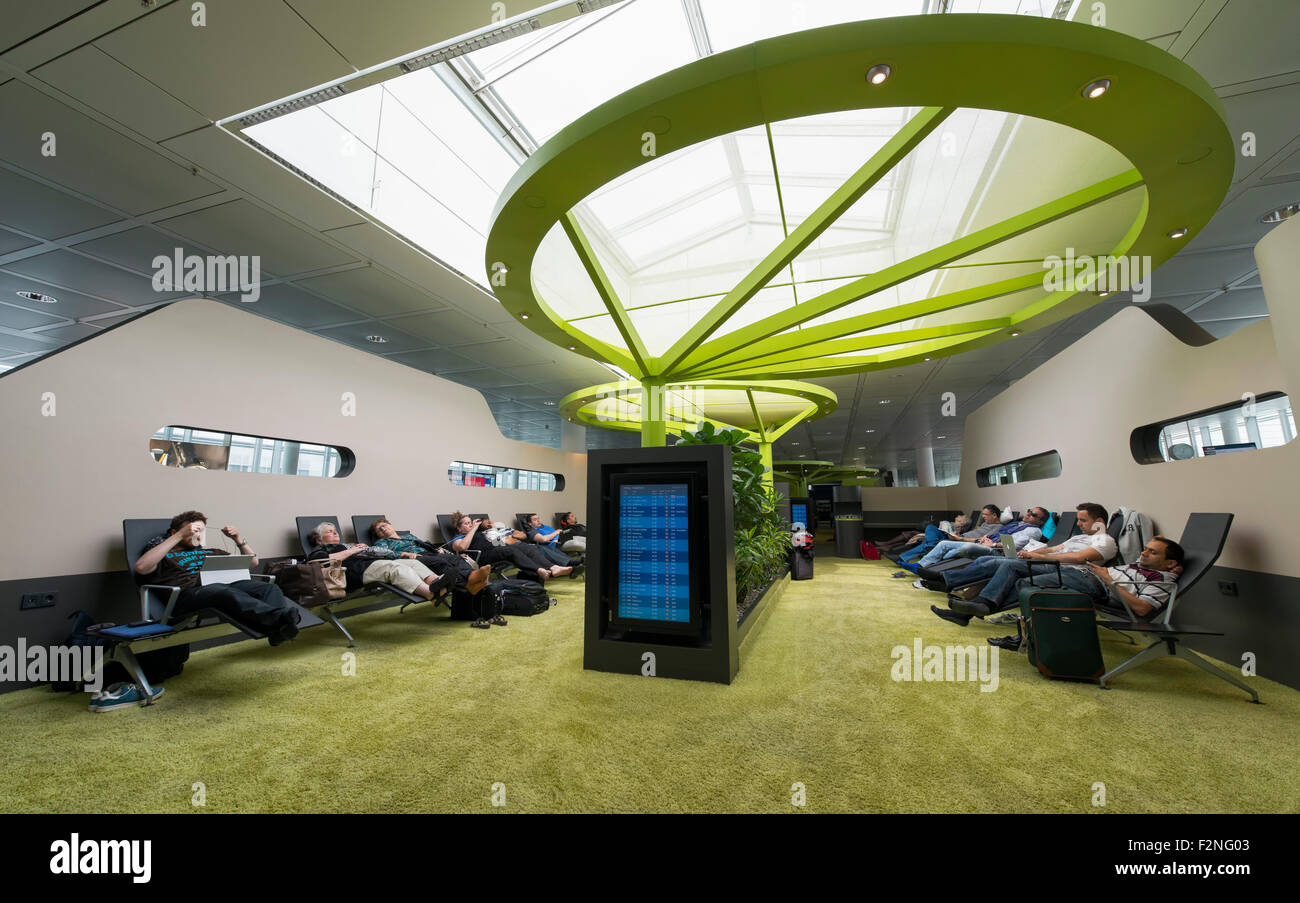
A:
{"x":175,"y":561}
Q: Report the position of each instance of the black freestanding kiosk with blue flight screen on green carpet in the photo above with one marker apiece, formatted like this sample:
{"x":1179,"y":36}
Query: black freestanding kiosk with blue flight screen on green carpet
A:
{"x":661,"y":597}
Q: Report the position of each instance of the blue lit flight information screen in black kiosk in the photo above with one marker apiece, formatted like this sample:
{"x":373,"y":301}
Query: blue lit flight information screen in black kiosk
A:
{"x":655,"y":553}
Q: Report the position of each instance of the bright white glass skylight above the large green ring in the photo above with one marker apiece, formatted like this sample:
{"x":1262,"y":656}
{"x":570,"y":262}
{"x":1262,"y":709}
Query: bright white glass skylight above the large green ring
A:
{"x":679,"y":232}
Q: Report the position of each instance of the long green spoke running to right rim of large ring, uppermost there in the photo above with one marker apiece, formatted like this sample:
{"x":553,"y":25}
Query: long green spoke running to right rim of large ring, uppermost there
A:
{"x":912,"y":268}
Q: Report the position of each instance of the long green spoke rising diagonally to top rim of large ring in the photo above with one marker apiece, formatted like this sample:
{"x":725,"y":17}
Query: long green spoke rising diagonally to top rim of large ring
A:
{"x":846,"y":197}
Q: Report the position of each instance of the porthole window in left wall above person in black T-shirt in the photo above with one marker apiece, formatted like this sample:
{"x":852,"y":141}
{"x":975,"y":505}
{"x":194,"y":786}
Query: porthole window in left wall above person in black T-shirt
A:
{"x":190,"y":449}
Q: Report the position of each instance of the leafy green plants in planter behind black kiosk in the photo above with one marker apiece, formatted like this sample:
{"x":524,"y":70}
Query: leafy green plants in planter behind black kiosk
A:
{"x":762,"y":542}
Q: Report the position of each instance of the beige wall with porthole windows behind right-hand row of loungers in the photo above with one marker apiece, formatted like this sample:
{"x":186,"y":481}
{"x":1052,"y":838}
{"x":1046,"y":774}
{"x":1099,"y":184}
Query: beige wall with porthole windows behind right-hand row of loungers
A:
{"x":1126,"y":374}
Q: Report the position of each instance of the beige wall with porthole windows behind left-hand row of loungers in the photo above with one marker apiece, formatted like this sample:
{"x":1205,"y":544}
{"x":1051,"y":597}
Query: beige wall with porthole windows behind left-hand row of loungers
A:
{"x":73,"y":477}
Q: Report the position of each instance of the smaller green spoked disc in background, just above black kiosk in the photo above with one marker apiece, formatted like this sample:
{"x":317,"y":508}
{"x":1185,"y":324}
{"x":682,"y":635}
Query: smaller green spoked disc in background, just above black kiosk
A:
{"x":765,"y":411}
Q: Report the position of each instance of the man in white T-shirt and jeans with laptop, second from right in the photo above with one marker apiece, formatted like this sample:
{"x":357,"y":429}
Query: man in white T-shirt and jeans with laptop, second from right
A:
{"x":1093,"y":546}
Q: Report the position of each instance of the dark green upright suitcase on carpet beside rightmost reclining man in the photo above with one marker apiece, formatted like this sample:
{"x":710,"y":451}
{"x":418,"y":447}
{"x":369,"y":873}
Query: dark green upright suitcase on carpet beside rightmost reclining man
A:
{"x":1060,"y":628}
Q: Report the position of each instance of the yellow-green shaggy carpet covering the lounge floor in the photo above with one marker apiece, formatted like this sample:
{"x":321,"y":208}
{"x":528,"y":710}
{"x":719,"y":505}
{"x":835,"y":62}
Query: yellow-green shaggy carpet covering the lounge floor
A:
{"x":437,"y":714}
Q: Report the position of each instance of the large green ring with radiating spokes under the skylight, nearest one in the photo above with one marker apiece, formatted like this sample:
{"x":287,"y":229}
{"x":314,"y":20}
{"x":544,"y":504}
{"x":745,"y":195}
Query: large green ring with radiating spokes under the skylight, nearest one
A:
{"x":1159,"y":114}
